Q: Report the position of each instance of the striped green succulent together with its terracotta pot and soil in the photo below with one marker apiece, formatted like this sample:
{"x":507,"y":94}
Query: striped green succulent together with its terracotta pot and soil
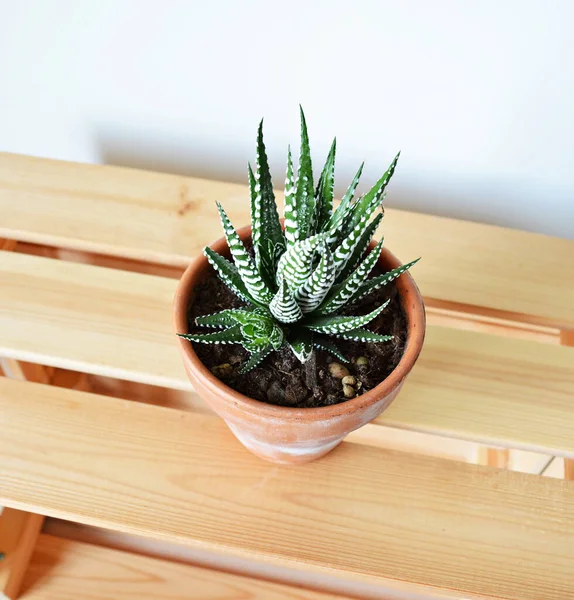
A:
{"x":310,"y":330}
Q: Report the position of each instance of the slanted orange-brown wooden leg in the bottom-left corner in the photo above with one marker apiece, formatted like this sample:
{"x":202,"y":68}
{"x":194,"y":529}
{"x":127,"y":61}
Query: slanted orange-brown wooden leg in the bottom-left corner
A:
{"x":18,"y":533}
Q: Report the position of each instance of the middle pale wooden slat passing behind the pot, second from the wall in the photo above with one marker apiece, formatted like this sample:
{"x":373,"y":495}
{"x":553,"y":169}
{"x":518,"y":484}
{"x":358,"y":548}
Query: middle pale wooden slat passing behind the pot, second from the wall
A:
{"x":496,"y":391}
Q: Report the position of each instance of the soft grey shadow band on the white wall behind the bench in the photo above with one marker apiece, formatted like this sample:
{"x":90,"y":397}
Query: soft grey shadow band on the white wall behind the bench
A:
{"x":504,"y":203}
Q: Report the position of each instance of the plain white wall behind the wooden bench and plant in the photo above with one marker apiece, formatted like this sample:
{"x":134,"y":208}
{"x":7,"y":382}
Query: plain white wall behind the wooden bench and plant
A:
{"x":479,"y":96}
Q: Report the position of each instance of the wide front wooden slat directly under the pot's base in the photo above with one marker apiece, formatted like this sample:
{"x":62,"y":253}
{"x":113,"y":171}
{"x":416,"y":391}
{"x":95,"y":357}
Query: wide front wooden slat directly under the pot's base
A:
{"x":371,"y":515}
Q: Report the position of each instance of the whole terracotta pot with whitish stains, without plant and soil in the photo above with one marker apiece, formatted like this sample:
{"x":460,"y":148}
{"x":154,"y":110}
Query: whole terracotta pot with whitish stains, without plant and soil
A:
{"x":295,"y":435}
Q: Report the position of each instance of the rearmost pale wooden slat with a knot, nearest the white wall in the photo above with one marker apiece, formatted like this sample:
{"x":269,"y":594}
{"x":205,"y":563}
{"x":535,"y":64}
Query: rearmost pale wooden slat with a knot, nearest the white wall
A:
{"x":168,"y":218}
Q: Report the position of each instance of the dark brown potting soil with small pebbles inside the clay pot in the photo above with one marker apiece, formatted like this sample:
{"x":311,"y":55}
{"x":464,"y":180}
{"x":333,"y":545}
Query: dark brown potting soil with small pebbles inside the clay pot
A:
{"x":281,"y":379}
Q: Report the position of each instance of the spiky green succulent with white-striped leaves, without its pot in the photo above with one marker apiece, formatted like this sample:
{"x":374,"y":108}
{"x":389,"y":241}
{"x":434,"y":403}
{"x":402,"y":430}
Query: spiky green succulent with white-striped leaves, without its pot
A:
{"x":296,"y":282}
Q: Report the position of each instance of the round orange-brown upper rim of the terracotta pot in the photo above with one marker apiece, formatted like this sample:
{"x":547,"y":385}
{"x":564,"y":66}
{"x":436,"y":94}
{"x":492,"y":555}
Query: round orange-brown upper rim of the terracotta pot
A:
{"x":412,"y":305}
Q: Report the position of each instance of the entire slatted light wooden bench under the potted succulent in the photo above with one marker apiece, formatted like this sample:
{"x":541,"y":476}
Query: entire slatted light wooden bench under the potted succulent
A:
{"x":87,"y":276}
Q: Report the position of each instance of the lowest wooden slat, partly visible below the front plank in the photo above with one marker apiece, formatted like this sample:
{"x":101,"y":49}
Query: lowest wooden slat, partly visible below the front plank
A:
{"x":64,"y":569}
